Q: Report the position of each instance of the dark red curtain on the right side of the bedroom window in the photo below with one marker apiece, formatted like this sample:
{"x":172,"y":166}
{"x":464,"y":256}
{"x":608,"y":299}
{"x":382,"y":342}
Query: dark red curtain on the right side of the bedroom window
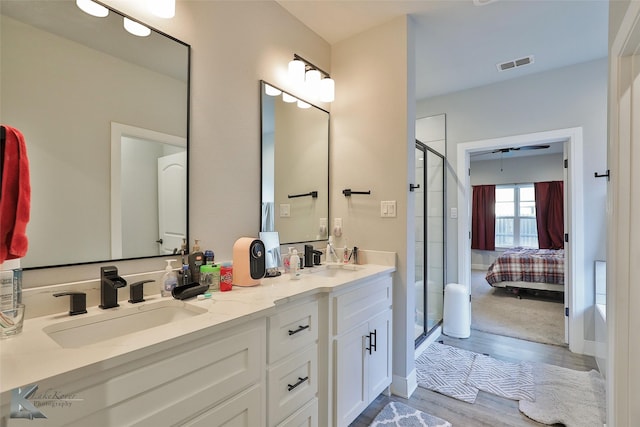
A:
{"x":550,"y":214}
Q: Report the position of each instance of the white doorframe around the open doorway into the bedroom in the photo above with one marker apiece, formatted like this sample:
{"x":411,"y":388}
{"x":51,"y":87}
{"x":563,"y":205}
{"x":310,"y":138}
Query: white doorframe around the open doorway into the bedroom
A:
{"x":575,"y":295}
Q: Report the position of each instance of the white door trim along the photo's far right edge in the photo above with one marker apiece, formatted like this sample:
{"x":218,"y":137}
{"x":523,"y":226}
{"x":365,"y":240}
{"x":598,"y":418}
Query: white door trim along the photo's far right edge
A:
{"x":623,"y":201}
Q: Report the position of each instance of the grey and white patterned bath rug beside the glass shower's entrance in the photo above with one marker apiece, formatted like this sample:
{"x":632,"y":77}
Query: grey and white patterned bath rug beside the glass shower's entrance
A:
{"x":445,"y":369}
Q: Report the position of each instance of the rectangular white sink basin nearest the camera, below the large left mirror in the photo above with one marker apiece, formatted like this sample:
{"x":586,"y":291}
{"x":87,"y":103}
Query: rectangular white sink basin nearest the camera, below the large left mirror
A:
{"x":113,"y":323}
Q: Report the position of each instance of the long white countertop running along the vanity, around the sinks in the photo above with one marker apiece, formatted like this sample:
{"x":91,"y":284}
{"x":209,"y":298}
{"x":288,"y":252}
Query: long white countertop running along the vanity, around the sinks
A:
{"x":33,"y":356}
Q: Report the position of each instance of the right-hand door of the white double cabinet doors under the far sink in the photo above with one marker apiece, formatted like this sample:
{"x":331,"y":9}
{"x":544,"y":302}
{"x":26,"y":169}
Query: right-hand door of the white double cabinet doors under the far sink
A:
{"x":379,"y":361}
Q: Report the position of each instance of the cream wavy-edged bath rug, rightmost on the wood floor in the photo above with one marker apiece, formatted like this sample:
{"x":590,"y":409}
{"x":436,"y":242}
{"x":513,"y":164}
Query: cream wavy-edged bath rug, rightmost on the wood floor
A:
{"x":566,"y":396}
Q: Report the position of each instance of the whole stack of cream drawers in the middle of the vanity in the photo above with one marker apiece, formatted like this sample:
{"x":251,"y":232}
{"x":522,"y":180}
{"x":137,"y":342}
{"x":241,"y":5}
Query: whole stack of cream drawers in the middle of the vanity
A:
{"x":292,"y":372}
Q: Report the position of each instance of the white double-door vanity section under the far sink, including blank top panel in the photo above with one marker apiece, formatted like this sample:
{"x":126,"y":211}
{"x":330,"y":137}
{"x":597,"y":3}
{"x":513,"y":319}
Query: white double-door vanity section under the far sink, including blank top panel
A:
{"x":362,"y":347}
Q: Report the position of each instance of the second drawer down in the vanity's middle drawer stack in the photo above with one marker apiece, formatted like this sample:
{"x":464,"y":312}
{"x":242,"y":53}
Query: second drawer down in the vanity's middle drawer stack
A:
{"x":292,"y":383}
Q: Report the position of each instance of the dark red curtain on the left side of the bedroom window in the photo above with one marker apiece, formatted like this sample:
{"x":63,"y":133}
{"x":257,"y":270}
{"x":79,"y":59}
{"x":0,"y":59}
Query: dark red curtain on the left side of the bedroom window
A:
{"x":483,"y":218}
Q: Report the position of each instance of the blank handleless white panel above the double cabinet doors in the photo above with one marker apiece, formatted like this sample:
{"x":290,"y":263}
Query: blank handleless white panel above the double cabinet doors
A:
{"x":357,"y":306}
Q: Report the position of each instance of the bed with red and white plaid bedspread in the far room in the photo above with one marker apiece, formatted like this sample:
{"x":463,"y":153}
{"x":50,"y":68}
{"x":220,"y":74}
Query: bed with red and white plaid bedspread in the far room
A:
{"x":521,"y":268}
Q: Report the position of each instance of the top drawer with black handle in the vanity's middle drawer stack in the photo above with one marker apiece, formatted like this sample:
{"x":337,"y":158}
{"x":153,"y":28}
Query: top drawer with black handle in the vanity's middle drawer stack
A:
{"x":292,"y":329}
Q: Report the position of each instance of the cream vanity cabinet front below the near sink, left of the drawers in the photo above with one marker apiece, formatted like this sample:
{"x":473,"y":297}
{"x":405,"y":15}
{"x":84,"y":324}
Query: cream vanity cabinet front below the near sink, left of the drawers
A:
{"x":214,"y":380}
